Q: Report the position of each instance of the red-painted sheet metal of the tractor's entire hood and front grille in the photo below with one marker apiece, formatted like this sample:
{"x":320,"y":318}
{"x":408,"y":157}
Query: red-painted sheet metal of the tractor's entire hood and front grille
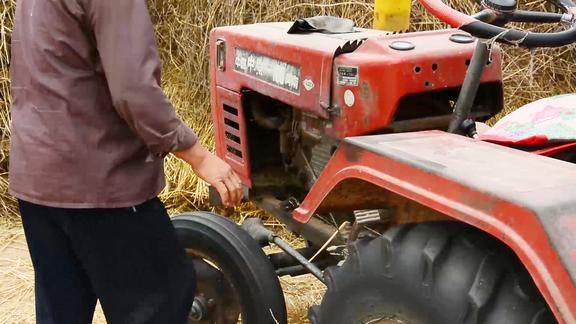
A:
{"x":385,"y":76}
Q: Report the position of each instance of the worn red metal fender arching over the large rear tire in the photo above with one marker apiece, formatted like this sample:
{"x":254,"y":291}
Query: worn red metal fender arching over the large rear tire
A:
{"x":525,"y":200}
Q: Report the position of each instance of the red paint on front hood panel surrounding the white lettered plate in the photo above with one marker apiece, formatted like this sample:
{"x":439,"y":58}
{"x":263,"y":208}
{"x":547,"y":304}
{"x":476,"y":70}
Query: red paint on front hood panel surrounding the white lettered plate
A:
{"x":313,"y":53}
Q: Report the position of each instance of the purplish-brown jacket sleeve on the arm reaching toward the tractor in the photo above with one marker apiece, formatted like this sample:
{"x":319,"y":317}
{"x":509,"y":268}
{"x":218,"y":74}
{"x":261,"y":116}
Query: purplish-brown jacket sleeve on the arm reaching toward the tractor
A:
{"x":127,"y":47}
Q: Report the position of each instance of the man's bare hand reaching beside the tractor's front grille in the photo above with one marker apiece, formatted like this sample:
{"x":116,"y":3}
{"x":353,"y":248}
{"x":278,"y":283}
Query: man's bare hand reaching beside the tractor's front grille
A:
{"x":216,"y":172}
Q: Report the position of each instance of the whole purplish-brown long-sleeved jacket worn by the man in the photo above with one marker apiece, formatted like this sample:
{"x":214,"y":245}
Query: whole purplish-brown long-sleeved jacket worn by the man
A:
{"x":90,"y":123}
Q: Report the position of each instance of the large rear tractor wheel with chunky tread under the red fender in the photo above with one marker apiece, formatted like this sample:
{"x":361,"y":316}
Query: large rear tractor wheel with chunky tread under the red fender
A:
{"x":443,"y":272}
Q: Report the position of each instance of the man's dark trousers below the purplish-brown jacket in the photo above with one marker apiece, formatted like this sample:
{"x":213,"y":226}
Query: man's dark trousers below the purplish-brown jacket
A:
{"x":128,"y":258}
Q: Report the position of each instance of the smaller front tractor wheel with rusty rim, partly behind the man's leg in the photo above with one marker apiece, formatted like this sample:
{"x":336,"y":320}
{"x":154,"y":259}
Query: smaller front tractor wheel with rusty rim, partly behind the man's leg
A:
{"x":234,"y":277}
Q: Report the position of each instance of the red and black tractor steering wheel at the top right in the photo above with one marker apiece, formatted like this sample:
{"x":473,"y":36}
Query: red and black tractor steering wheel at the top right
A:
{"x":488,"y":23}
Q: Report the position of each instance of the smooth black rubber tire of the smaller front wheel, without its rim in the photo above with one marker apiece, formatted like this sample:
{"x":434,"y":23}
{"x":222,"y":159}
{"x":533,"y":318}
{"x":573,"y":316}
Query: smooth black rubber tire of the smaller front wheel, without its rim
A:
{"x":241,"y":259}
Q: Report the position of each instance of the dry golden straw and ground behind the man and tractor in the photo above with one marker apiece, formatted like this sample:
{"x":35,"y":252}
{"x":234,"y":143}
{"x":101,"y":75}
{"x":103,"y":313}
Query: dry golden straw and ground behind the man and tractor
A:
{"x":182,"y":30}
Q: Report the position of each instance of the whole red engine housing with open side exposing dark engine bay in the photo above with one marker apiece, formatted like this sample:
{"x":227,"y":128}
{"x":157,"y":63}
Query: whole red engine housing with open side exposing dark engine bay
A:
{"x":282,"y":102}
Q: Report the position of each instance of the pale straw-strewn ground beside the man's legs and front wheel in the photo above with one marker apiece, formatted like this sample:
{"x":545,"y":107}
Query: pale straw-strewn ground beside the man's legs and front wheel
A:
{"x":17,"y":282}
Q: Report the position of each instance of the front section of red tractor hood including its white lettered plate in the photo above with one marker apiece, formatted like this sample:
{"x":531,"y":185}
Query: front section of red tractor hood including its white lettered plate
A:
{"x":294,"y":68}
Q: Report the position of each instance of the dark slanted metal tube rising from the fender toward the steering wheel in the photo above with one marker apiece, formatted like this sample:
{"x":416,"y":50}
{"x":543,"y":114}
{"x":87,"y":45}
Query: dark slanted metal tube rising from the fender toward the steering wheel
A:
{"x":470,"y":86}
